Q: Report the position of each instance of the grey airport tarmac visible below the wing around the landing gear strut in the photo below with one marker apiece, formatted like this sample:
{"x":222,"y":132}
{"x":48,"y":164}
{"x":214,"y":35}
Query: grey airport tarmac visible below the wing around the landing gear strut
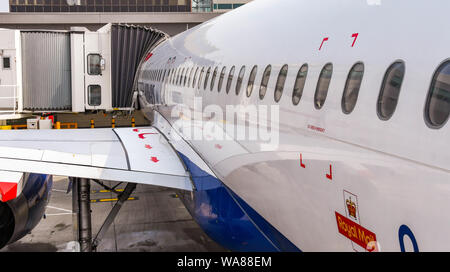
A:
{"x":156,"y":221}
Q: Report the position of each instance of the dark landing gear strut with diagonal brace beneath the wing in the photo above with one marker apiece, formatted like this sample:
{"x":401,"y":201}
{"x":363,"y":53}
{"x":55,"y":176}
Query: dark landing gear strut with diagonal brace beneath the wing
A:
{"x":82,"y":209}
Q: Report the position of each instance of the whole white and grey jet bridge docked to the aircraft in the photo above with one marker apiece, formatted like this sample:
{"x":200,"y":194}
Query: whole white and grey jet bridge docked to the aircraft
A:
{"x":71,"y":71}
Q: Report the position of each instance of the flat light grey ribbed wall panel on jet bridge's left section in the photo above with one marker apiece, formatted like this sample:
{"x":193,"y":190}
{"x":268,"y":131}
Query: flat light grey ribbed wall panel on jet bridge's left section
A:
{"x":46,"y":71}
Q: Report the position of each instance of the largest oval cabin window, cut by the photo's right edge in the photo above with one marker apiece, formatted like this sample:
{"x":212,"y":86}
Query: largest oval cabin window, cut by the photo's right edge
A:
{"x":437,"y":109}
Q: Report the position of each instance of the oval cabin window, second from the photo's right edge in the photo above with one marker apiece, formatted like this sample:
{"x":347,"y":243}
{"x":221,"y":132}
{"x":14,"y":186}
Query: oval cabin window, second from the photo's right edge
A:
{"x":390,"y":90}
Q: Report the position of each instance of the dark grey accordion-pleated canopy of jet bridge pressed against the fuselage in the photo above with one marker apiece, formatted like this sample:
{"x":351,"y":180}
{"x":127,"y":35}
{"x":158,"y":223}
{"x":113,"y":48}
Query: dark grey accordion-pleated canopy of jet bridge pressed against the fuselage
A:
{"x":128,"y":46}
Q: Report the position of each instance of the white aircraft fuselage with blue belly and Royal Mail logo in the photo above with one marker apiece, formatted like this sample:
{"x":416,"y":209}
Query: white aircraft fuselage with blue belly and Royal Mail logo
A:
{"x":325,"y":180}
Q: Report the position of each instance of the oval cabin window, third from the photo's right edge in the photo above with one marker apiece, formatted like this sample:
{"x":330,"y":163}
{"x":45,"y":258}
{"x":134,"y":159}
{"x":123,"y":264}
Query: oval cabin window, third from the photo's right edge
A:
{"x":352,"y":87}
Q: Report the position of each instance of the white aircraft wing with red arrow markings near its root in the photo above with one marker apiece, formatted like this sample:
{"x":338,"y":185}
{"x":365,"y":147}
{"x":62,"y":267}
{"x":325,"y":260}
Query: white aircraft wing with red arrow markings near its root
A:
{"x":138,"y":155}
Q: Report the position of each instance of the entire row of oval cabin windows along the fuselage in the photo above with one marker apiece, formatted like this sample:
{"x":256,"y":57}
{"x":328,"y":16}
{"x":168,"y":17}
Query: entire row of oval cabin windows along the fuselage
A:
{"x":437,"y":108}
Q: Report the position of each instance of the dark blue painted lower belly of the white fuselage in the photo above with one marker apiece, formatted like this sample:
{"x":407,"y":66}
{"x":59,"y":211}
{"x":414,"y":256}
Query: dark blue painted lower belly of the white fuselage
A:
{"x":228,"y":219}
